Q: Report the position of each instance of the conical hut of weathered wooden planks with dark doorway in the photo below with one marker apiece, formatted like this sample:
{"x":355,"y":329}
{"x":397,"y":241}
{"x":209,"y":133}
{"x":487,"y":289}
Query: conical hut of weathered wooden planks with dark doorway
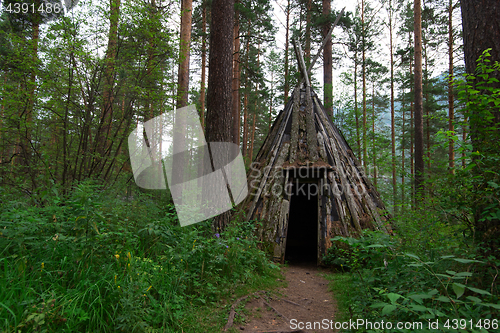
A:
{"x":306,"y":186}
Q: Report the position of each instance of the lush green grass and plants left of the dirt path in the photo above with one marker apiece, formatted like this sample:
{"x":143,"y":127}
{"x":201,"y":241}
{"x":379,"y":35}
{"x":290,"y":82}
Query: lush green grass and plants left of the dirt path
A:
{"x":93,"y":261}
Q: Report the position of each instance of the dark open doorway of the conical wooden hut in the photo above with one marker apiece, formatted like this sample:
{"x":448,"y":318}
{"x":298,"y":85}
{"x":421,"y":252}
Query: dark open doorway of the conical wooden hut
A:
{"x":302,"y":235}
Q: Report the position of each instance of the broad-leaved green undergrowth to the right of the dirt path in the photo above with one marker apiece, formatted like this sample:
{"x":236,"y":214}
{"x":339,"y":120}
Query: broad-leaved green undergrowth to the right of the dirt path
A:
{"x":425,"y":276}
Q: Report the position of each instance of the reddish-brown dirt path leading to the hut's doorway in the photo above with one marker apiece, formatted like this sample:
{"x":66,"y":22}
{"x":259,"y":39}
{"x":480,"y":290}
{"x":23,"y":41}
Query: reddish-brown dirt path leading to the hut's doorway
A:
{"x":305,"y":299}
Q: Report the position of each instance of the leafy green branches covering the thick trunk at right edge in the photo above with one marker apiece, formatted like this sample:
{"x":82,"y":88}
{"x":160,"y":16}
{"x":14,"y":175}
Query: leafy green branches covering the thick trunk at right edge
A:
{"x":481,"y":93}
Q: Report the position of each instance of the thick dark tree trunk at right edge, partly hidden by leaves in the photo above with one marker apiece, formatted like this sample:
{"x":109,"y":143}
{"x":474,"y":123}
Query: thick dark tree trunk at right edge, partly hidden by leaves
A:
{"x":481,"y":31}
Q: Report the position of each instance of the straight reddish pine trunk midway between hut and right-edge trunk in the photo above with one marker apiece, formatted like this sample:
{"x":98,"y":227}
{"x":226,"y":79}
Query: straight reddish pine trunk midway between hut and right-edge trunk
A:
{"x":419,"y":125}
